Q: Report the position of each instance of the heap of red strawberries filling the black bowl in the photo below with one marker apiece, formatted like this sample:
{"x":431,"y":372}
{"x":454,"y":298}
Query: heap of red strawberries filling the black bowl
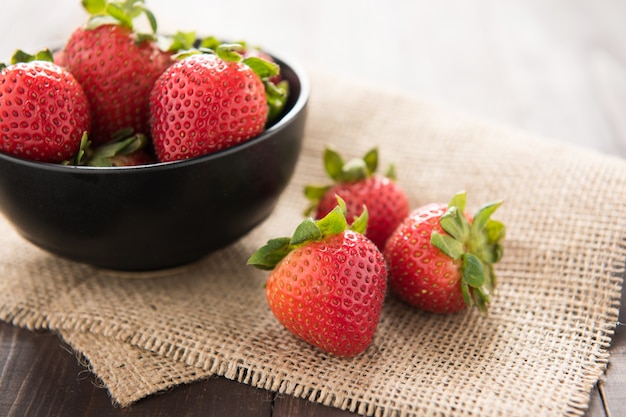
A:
{"x":113,"y":96}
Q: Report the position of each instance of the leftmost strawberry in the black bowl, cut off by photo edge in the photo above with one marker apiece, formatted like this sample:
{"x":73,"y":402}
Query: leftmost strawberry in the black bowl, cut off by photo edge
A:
{"x":44,"y":111}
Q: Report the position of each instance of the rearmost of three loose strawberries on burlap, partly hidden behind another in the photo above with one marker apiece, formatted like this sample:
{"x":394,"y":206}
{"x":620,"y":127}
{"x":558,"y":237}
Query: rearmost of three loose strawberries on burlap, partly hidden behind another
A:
{"x":357,"y":183}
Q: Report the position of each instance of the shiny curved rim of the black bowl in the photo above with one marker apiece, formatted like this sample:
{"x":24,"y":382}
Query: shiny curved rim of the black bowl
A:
{"x":298,"y":107}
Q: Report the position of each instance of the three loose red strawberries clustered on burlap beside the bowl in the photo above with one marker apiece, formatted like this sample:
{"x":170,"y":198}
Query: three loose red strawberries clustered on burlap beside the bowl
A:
{"x":328,"y":282}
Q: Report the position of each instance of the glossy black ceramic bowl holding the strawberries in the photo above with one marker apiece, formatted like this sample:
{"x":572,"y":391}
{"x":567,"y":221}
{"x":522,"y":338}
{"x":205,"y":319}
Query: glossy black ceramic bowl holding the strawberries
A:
{"x":160,"y":215}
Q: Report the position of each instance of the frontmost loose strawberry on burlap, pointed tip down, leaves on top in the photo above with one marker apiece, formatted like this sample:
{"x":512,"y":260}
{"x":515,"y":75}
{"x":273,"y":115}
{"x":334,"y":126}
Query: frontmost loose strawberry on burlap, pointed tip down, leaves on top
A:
{"x":327,"y":283}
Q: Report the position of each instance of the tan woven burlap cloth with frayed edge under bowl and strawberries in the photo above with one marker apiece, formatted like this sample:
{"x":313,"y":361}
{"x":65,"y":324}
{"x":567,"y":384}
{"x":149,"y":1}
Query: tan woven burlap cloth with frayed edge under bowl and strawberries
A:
{"x":538,"y":353}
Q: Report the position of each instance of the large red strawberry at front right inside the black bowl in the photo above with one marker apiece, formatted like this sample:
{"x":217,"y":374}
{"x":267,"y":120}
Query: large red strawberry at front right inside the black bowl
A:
{"x":208,"y":102}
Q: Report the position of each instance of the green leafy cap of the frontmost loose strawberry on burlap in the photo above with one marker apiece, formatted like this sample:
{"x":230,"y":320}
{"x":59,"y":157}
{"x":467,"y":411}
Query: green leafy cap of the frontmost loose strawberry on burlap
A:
{"x":268,"y":256}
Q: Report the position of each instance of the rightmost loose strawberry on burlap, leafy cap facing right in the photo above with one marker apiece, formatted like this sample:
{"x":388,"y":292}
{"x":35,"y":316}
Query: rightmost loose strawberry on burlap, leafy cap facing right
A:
{"x":441,"y":259}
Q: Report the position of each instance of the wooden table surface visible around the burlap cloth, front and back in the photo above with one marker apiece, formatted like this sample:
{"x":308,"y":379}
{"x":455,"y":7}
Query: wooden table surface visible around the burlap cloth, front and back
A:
{"x":555,"y":68}
